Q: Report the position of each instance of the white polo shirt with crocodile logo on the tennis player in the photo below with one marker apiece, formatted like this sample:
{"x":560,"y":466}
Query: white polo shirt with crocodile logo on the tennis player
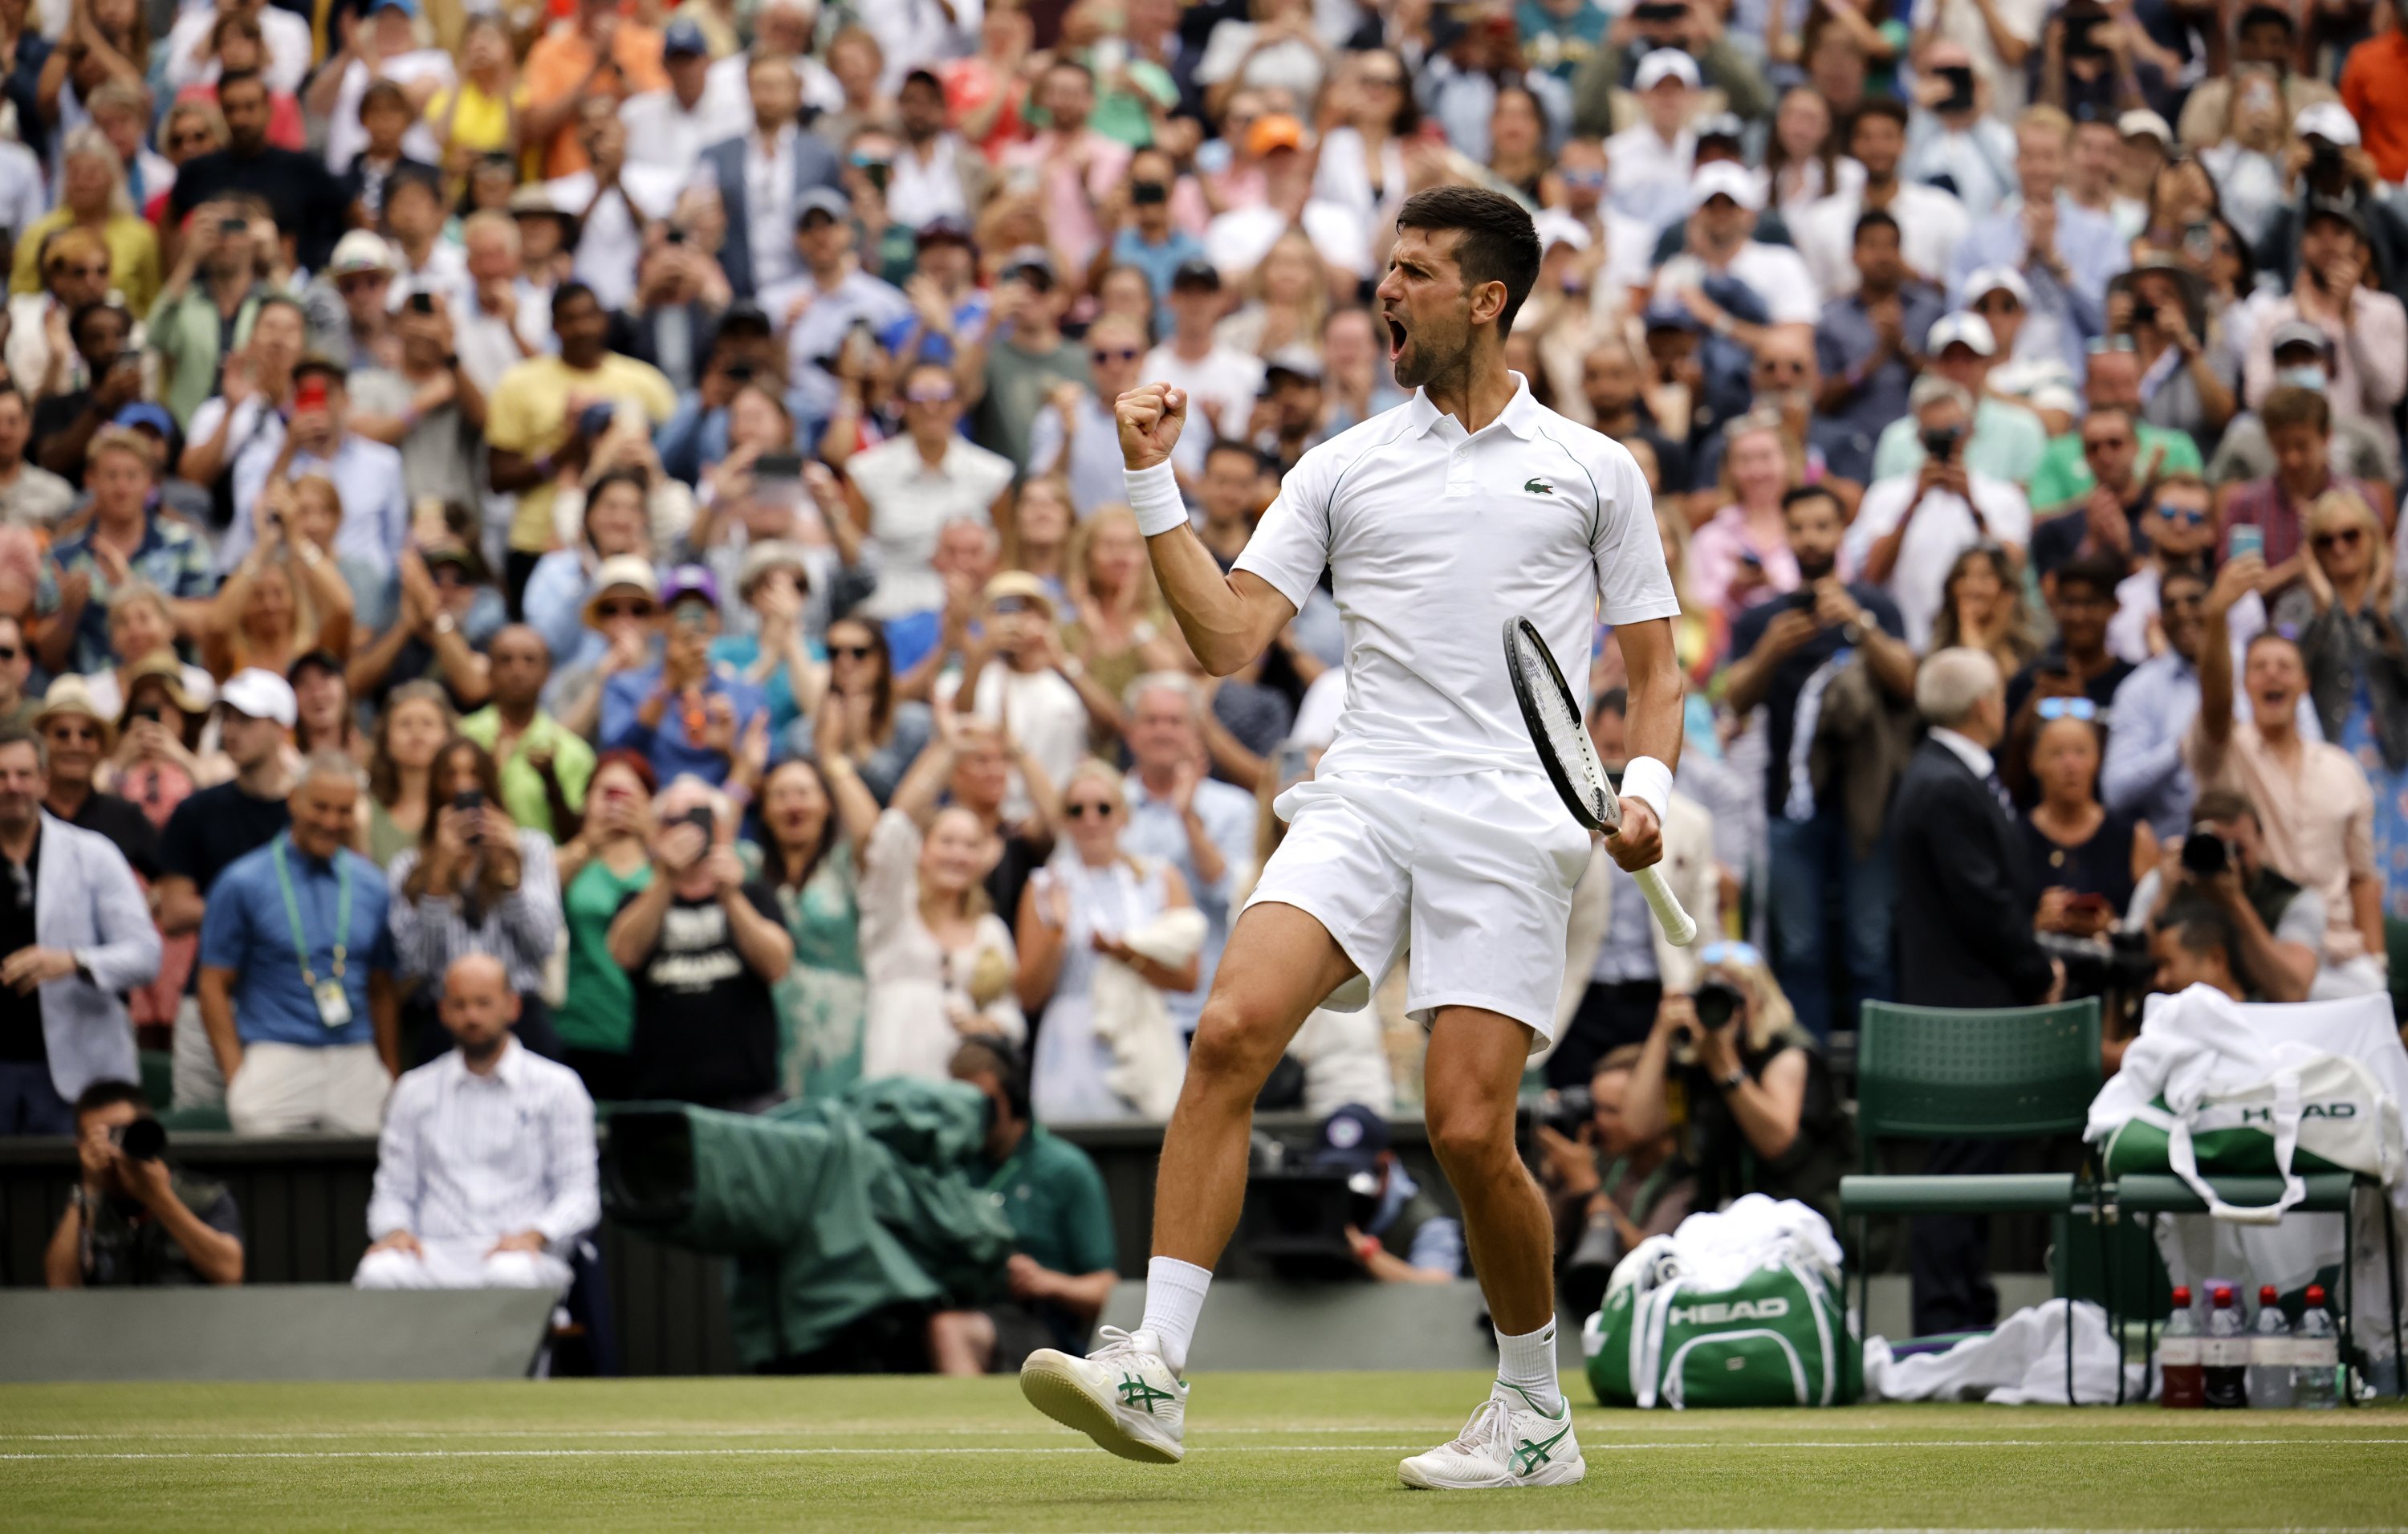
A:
{"x":1434,"y":538}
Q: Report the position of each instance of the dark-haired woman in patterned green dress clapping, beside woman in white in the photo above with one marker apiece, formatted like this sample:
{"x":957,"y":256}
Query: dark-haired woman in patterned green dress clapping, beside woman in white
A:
{"x":808,"y":859}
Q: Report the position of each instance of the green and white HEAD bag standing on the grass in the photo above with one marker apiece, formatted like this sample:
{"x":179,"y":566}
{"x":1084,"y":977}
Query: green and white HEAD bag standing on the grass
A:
{"x":1769,"y":1343}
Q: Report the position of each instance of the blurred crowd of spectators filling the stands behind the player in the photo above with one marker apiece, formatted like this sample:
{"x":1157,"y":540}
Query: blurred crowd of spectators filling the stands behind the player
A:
{"x":668,"y":454}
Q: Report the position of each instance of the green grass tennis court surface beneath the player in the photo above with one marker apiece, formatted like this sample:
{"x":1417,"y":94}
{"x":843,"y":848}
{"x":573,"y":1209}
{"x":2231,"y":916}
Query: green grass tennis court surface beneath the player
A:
{"x":1265,"y":1453}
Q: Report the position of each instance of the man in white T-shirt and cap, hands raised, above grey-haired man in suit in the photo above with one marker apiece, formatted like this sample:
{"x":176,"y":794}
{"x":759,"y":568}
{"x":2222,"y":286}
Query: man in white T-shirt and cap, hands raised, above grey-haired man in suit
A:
{"x":1911,"y":529}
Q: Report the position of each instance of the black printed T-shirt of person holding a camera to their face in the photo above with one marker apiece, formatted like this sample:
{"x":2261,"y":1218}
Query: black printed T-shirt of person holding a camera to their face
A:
{"x":707,"y":1027}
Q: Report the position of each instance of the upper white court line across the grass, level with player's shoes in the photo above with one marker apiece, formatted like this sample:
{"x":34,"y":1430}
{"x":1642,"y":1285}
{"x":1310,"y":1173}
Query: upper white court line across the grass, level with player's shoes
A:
{"x":1251,"y":1449}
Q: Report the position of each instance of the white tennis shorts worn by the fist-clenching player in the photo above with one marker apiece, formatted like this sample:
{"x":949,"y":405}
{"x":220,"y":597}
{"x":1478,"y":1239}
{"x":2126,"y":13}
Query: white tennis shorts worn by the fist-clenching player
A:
{"x":1470,"y":875}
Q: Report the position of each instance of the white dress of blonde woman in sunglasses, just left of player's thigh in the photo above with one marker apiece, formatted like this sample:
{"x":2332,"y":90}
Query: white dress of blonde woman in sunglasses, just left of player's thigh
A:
{"x":1068,"y":1075}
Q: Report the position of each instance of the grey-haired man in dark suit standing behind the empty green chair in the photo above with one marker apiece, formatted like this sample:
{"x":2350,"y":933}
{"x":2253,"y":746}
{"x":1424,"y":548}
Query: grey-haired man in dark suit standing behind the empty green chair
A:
{"x":1964,"y":940}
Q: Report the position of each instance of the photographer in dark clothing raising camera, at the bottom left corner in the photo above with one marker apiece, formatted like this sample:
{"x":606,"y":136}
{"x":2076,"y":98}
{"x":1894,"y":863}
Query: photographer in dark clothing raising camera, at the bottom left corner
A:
{"x":136,"y":1220}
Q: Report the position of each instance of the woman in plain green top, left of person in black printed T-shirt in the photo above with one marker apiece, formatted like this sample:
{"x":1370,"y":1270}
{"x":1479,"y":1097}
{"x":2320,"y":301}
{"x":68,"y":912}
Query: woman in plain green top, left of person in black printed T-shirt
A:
{"x":608,"y":861}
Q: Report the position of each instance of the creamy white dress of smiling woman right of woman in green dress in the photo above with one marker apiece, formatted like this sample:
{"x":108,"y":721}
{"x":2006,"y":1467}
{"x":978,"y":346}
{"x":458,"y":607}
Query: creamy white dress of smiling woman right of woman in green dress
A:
{"x":914,"y":981}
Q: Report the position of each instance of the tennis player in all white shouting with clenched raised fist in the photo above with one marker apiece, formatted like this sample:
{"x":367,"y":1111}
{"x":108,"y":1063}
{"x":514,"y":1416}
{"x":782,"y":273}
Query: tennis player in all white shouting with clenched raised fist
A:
{"x":1429,"y":827}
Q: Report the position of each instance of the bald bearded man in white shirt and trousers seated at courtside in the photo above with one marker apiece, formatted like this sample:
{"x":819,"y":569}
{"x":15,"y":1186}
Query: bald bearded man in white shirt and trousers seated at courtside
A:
{"x":485,"y":1172}
